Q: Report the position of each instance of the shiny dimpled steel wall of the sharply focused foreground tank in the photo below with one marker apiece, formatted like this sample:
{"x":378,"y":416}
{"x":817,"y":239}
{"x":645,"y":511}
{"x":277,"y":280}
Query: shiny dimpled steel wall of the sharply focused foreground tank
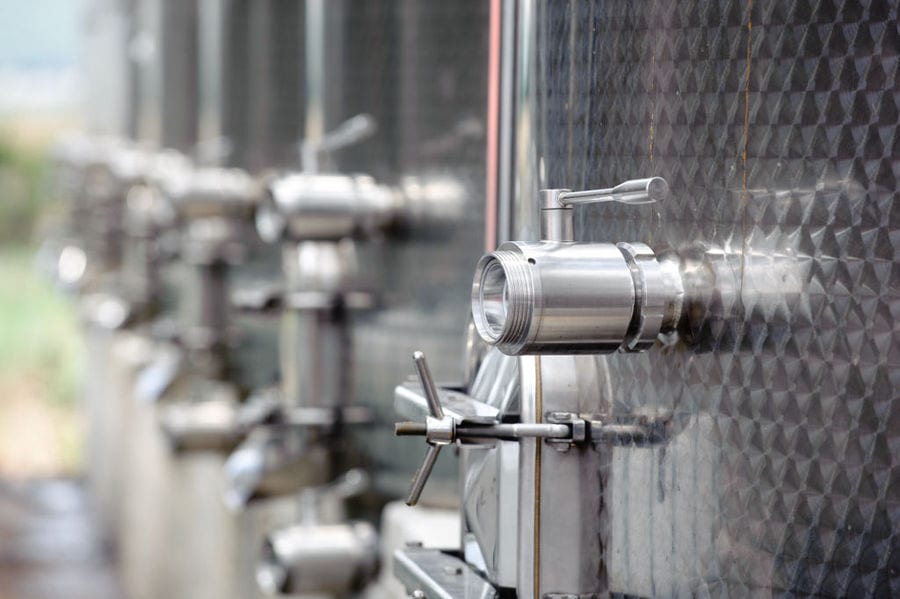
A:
{"x":776,"y":126}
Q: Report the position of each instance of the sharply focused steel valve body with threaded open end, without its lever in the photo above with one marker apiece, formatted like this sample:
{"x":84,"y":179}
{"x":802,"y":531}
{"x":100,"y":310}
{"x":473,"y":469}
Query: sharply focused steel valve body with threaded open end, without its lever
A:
{"x":571,"y":298}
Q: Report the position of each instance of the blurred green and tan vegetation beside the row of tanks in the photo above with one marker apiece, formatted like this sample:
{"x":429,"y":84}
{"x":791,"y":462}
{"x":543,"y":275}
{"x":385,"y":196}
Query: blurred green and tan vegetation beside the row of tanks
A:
{"x":40,"y":343}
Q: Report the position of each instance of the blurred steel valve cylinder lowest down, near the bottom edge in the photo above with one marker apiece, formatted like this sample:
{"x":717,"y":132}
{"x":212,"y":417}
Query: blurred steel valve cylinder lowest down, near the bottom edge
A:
{"x":331,"y":559}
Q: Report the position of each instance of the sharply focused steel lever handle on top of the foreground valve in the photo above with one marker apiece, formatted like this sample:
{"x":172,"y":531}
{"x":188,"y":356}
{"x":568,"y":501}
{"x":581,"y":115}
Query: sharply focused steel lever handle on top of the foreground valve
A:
{"x":558,"y":205}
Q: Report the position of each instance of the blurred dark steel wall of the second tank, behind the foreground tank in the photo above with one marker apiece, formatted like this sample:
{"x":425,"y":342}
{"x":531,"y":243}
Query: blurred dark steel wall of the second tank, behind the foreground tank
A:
{"x":419,"y":68}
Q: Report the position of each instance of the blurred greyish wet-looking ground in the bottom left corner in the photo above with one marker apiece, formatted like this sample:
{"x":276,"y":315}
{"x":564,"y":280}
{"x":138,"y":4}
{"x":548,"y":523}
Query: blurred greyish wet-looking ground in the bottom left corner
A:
{"x":50,"y":547}
